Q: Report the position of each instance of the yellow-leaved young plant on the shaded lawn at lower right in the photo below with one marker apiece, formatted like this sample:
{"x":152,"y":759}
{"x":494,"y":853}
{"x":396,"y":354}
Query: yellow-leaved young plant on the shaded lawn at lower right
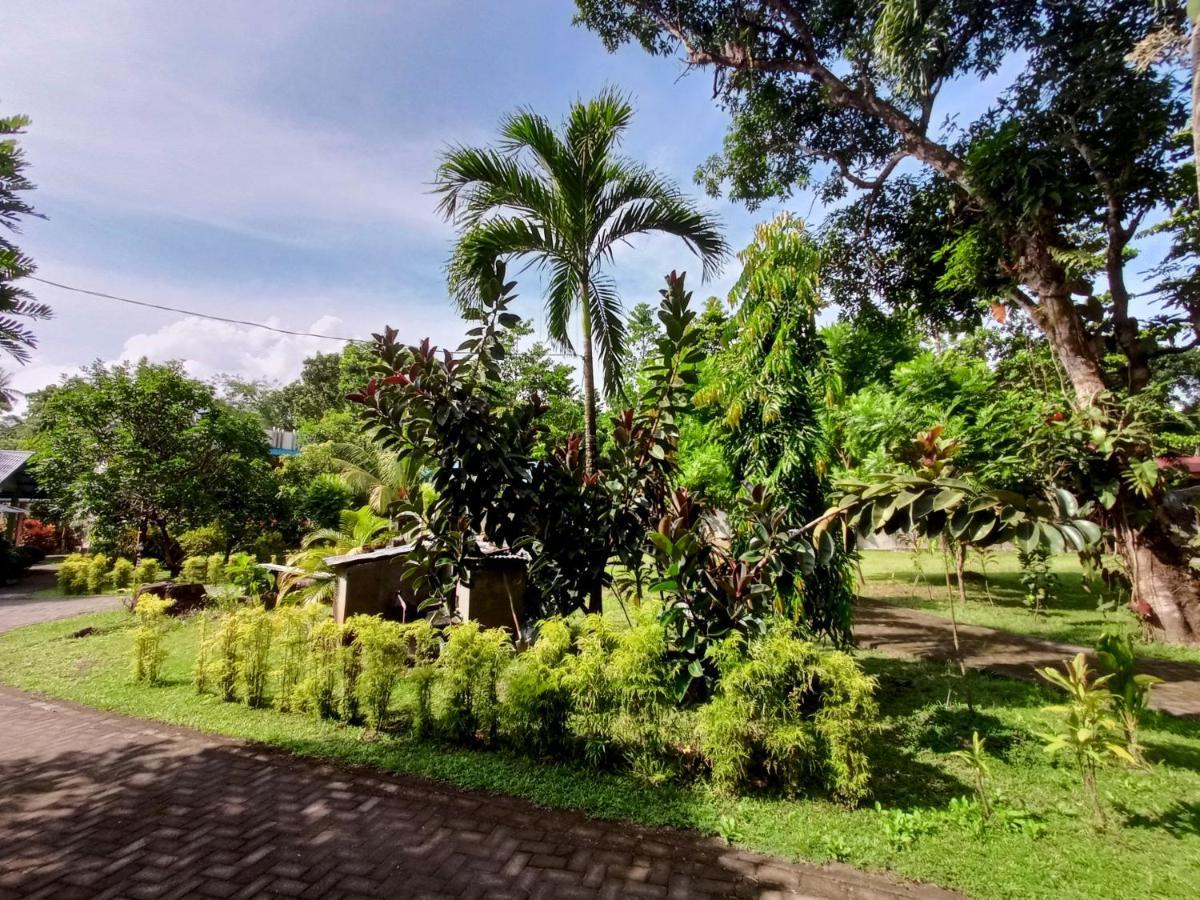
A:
{"x":1089,"y":734}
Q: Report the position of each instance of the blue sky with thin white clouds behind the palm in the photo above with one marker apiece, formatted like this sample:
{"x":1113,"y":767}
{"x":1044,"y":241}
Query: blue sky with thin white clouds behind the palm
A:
{"x":271,"y":161}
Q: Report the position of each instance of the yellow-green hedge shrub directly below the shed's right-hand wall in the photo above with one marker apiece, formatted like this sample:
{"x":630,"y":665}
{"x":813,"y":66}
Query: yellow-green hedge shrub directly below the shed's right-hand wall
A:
{"x":471,"y":662}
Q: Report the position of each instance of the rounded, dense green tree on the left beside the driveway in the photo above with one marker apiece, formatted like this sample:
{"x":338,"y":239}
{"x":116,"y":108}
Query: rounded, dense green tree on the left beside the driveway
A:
{"x":148,"y":451}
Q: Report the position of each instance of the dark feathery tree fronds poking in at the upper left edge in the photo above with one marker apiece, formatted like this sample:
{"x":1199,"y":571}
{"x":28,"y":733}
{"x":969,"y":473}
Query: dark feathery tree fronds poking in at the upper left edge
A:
{"x":16,"y":303}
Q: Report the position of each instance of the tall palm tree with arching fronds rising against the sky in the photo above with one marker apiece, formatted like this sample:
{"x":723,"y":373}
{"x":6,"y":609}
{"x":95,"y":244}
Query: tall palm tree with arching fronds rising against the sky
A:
{"x":565,"y":202}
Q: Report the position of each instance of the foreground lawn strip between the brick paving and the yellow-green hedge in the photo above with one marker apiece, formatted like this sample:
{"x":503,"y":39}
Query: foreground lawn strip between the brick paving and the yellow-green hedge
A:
{"x":1153,"y":850}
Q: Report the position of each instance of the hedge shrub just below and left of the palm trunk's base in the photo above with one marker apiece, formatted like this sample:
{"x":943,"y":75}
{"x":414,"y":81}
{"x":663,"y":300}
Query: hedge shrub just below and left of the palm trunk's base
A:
{"x":536,"y":700}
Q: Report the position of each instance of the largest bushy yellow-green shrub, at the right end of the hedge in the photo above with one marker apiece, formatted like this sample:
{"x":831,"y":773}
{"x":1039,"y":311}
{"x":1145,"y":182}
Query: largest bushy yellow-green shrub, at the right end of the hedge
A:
{"x":791,"y":711}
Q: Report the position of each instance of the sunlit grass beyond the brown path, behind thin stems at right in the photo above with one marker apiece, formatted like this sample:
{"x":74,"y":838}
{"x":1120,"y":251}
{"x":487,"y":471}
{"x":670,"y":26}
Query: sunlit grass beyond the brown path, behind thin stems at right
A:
{"x":919,"y":581}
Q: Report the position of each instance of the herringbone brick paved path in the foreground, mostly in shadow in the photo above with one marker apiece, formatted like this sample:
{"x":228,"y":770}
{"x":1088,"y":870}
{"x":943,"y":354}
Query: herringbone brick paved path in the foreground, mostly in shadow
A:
{"x":94,"y":805}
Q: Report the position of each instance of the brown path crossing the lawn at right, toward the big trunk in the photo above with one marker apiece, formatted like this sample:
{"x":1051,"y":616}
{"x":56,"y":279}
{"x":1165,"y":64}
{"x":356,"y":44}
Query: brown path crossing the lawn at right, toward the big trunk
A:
{"x":915,"y":633}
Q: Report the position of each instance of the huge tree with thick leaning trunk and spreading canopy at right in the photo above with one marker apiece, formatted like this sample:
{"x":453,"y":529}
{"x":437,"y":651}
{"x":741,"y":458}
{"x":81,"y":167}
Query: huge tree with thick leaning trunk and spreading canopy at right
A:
{"x":1039,"y":199}
